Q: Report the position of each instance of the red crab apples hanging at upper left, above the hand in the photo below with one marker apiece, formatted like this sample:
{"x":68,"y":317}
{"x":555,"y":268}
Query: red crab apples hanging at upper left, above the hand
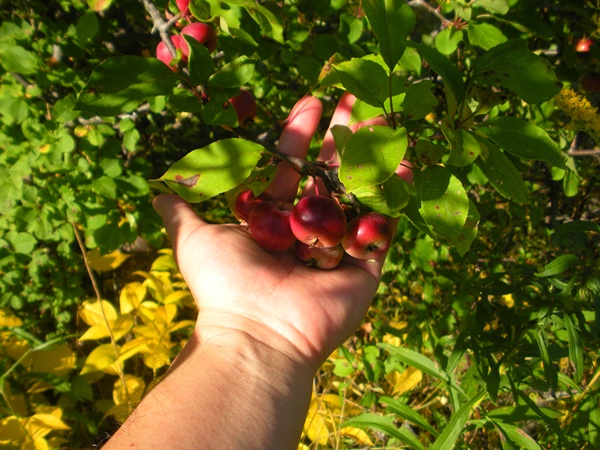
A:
{"x":244,"y":103}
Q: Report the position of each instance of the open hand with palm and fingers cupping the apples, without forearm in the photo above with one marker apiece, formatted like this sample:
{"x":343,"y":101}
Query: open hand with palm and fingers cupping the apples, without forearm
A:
{"x":237,"y":284}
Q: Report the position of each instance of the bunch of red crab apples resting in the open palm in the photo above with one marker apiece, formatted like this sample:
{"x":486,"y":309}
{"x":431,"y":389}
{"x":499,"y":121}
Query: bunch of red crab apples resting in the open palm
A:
{"x":316,"y":227}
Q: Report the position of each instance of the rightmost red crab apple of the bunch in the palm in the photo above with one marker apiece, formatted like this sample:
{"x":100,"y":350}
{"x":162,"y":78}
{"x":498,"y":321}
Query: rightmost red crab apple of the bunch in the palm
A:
{"x":369,"y":236}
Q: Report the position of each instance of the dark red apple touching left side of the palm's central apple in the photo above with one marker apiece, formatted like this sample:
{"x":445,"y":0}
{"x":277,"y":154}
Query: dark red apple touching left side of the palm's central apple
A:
{"x":270,"y":227}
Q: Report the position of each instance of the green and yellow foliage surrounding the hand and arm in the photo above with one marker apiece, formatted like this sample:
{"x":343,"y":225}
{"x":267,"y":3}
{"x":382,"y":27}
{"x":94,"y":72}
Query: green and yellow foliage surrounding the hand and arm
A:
{"x":485,"y":345}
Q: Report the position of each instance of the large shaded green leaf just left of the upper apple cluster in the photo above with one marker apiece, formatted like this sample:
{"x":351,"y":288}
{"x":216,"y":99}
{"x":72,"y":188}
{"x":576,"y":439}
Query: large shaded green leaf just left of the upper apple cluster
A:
{"x":121,"y":83}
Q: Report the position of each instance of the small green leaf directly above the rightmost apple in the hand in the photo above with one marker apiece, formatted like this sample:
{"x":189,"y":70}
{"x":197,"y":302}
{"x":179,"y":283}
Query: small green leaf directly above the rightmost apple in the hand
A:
{"x":388,"y":198}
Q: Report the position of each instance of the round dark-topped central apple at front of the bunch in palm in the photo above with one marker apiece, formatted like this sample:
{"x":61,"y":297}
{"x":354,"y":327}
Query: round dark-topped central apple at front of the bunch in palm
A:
{"x":319,"y":221}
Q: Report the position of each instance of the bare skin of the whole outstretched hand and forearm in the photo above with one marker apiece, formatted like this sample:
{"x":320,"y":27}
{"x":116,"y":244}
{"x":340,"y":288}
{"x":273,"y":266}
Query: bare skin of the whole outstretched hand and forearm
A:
{"x":266,"y":322}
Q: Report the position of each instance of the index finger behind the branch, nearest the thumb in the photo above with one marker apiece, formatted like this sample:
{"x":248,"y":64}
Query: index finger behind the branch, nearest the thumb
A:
{"x":295,"y":141}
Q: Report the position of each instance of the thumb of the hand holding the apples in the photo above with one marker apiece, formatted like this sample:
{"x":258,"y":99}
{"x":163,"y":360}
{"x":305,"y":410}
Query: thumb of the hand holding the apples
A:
{"x":179,"y":218}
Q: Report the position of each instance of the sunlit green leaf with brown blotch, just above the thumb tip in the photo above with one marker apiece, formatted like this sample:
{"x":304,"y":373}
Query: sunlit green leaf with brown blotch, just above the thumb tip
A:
{"x":214,"y":169}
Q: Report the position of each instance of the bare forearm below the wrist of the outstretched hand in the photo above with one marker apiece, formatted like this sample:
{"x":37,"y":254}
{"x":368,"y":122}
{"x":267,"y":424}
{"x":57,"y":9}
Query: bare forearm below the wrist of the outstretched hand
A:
{"x":230,"y":390}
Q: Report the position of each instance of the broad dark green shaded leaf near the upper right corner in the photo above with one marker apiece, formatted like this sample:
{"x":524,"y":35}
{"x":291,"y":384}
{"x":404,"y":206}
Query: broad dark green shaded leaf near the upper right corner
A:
{"x":514,"y":67}
